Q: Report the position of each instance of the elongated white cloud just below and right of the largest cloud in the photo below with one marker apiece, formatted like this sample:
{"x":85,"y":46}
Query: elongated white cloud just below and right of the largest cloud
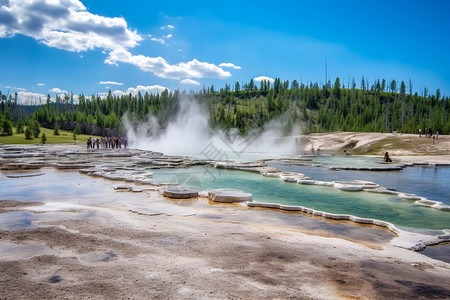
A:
{"x":161,"y":68}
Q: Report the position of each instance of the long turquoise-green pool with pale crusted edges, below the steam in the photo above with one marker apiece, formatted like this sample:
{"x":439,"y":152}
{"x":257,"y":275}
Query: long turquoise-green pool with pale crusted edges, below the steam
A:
{"x":402,"y":213}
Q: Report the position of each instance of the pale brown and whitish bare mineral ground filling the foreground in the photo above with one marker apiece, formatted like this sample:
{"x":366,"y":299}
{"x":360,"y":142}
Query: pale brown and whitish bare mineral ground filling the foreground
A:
{"x":91,"y":245}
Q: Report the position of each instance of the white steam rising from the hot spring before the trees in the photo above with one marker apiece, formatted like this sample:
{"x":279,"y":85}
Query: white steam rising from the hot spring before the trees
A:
{"x":190,"y":134}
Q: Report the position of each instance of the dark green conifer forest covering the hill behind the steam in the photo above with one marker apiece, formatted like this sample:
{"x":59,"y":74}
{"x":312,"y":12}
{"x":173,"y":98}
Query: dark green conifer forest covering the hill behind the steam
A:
{"x":378,"y":107}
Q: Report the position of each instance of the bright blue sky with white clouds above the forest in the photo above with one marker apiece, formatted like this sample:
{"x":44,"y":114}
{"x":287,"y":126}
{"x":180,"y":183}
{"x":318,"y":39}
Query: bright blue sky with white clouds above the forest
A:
{"x":90,"y":47}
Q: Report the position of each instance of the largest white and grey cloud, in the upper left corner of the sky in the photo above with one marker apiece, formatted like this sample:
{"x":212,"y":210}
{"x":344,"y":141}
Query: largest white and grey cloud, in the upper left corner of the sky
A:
{"x":65,"y":24}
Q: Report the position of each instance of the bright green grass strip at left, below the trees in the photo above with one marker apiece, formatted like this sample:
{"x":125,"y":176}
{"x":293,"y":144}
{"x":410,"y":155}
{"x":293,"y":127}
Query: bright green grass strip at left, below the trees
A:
{"x":64,"y":137}
